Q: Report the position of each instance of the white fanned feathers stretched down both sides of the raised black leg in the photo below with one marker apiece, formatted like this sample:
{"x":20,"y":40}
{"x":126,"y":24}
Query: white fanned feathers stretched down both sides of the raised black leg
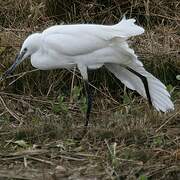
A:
{"x":159,"y":95}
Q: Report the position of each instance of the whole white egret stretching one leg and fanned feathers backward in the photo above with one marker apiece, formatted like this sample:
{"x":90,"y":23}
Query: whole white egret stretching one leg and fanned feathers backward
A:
{"x":91,"y":46}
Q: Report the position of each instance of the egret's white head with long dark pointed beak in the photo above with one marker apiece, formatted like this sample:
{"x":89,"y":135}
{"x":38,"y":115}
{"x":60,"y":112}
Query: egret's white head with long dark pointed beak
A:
{"x":30,"y":46}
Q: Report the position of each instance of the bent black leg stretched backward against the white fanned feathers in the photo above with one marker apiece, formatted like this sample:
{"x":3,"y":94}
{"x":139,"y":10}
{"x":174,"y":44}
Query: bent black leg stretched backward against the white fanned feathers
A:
{"x":145,"y":82}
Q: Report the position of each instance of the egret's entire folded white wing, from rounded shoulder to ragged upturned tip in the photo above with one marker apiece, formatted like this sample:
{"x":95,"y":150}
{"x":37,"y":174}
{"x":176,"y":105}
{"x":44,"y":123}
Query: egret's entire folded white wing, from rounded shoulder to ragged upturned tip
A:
{"x":86,"y":38}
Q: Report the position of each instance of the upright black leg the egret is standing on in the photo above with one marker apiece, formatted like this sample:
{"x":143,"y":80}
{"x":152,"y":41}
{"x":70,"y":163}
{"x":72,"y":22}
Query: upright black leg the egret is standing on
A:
{"x":89,"y":103}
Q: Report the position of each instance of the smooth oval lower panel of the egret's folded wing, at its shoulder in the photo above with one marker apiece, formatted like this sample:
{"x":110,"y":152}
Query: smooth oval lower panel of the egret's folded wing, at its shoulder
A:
{"x":71,"y":45}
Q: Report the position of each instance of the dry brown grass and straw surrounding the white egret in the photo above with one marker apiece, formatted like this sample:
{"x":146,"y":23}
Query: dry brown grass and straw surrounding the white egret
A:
{"x":42,"y":113}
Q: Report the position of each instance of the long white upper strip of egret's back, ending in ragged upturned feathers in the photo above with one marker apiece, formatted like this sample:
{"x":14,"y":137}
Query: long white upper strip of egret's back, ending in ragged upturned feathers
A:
{"x":124,"y":29}
